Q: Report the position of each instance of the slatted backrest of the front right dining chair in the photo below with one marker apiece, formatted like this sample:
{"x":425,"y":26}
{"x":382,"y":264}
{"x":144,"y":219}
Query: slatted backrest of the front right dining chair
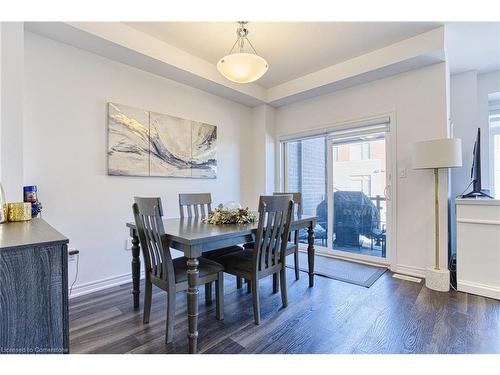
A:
{"x":275,"y":215}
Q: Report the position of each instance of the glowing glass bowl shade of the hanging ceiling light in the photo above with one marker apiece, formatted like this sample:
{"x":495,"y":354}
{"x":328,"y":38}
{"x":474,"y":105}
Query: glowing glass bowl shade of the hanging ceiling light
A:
{"x":242,"y":67}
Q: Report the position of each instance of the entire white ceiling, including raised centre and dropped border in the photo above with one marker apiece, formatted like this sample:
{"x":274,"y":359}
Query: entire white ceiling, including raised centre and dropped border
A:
{"x":306,"y":59}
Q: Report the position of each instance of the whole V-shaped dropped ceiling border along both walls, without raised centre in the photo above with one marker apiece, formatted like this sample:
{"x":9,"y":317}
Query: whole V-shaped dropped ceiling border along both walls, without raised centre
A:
{"x":127,"y":45}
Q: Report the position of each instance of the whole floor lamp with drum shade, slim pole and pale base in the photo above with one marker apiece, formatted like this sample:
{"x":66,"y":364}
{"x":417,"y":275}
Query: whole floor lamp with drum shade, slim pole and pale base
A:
{"x":436,"y":154}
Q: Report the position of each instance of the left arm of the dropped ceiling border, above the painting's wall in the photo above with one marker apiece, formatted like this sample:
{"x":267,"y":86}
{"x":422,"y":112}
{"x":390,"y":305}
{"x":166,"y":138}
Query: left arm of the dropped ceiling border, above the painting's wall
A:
{"x":124,"y":44}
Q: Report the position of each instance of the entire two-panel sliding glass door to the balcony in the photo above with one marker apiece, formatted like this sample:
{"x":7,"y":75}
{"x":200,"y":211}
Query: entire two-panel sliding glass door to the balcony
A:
{"x":344,"y":177}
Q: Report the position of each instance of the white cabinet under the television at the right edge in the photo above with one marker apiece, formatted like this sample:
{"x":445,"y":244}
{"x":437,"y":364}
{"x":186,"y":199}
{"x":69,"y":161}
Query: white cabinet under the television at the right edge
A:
{"x":478,"y":246}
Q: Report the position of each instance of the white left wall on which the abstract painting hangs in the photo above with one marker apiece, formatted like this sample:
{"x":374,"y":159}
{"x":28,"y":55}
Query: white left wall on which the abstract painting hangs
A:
{"x":66,"y":91}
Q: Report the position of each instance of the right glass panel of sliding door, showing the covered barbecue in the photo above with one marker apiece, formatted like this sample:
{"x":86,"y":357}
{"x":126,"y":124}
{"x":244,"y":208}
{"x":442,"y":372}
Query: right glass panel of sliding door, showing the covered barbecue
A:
{"x":358,"y":200}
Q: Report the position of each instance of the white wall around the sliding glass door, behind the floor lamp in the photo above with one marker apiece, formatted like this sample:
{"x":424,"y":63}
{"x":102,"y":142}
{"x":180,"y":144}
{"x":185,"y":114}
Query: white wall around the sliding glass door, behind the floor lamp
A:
{"x":418,"y":101}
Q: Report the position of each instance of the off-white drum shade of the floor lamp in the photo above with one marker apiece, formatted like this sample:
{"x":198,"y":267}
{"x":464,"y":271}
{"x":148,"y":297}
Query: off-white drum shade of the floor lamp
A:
{"x":437,"y":153}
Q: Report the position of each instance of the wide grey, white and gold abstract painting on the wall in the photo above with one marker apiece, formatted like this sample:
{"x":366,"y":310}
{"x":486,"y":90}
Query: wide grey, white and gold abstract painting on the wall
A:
{"x":145,"y":143}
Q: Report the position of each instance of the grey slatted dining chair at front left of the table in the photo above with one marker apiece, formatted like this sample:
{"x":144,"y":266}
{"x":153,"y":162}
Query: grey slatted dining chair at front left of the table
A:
{"x":166,"y":273}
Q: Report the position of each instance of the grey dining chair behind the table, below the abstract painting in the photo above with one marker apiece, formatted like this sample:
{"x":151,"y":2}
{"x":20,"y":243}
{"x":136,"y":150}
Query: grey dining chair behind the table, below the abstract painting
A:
{"x":199,"y":205}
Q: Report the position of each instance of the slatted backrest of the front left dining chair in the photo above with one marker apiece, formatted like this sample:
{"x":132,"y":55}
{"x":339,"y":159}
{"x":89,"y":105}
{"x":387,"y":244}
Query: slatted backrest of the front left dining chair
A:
{"x":155,"y":247}
